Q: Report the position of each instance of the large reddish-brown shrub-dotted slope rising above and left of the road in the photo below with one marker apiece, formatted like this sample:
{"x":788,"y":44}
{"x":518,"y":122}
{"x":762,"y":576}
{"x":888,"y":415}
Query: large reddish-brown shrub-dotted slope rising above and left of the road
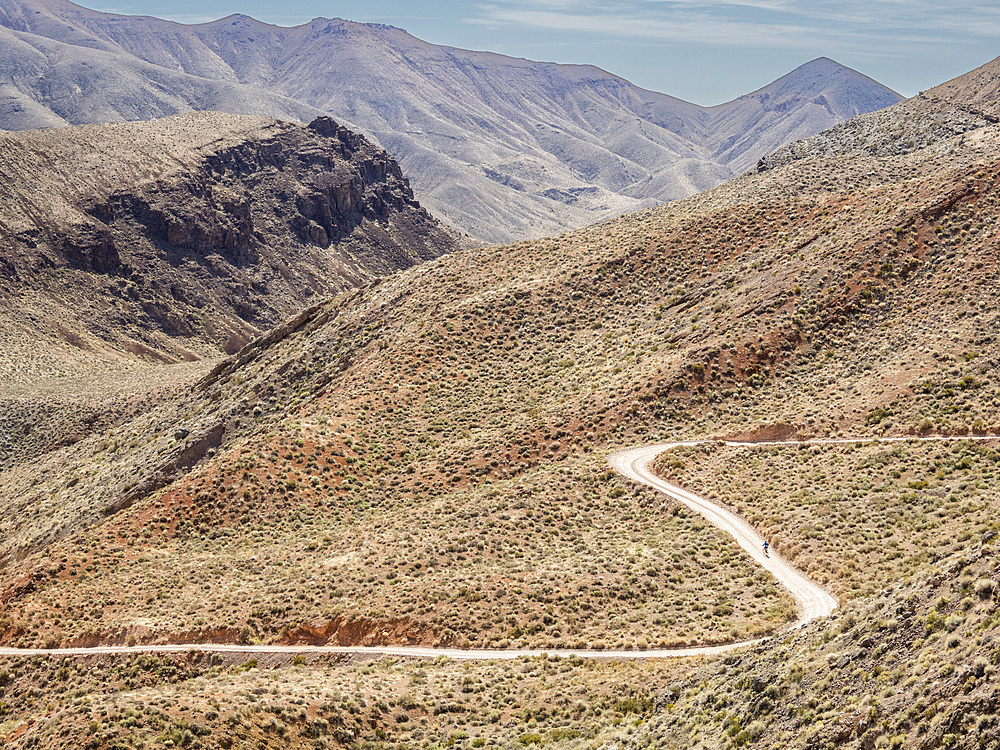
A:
{"x":434,"y":440}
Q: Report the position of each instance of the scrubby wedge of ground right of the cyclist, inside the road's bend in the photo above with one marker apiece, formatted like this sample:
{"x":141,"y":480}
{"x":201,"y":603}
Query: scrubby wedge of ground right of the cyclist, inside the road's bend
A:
{"x":860,"y":517}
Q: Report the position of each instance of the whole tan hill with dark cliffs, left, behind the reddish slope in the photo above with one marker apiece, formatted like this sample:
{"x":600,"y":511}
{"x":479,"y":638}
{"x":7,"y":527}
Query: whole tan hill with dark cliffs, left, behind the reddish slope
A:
{"x":176,"y":238}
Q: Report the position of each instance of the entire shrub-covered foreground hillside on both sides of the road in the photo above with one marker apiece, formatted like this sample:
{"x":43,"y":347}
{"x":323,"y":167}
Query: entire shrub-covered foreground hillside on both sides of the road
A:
{"x":423,"y":460}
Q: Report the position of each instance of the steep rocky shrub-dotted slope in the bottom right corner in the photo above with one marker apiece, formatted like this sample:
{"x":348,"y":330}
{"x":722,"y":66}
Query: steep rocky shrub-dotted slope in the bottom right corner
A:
{"x":913,"y":667}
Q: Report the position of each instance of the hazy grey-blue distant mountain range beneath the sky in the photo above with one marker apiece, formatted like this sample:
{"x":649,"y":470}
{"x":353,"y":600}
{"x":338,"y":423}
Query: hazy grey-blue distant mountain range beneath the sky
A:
{"x":502,"y":148}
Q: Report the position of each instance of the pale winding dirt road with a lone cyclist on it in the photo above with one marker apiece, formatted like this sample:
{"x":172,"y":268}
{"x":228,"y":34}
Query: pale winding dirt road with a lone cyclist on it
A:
{"x":813,"y":601}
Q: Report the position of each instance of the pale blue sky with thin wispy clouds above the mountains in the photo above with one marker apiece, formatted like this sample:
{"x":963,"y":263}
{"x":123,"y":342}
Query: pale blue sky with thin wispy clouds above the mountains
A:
{"x":705,"y":51}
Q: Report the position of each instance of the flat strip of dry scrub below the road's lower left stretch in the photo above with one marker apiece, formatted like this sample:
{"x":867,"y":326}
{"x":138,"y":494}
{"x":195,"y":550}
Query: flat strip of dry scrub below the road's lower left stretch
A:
{"x":231,"y":703}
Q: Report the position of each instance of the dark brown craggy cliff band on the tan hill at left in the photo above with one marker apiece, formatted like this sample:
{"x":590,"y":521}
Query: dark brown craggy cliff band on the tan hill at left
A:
{"x":341,"y":180}
